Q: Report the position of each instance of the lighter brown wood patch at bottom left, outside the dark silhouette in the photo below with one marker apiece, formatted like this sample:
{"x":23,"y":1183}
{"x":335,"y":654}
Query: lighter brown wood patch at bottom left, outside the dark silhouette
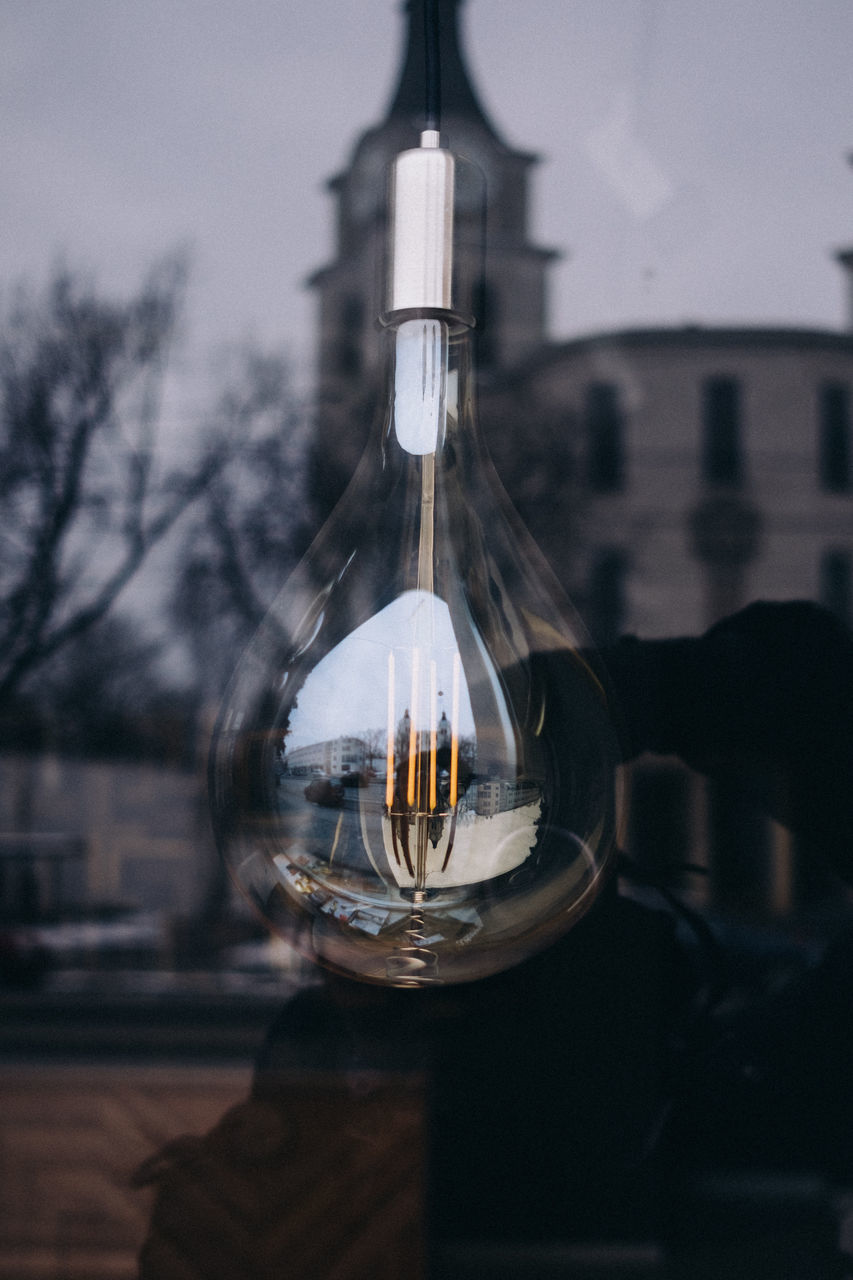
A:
{"x":70,"y":1142}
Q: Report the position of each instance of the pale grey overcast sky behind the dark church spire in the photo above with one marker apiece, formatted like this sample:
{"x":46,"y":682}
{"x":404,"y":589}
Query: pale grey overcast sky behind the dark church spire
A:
{"x":694,"y":154}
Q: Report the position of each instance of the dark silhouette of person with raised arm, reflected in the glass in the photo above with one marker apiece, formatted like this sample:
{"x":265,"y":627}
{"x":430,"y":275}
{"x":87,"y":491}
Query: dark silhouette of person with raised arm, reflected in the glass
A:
{"x":586,"y":1094}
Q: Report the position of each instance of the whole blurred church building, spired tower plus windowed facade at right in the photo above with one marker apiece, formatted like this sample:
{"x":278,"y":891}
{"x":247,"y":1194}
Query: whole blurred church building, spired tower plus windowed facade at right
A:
{"x":670,"y":476}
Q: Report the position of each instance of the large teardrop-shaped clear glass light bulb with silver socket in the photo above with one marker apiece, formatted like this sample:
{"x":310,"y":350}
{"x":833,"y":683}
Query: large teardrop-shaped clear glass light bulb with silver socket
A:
{"x":414,"y":775}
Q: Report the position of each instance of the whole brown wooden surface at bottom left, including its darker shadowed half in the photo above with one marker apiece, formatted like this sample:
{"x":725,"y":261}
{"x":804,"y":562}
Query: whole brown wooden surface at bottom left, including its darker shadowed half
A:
{"x":325,"y":1173}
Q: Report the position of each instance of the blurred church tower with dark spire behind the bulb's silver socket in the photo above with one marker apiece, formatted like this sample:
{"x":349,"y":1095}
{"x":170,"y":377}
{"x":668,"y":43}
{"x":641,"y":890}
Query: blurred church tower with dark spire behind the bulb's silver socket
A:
{"x":512,"y":313}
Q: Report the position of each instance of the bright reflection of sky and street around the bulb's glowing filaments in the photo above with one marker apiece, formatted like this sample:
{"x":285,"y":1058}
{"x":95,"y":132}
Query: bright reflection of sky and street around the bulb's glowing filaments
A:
{"x":434,"y":812}
